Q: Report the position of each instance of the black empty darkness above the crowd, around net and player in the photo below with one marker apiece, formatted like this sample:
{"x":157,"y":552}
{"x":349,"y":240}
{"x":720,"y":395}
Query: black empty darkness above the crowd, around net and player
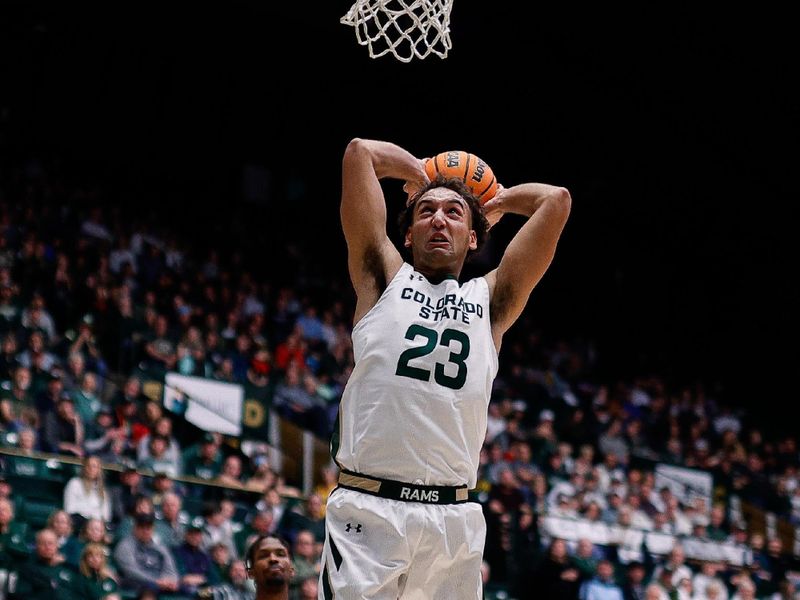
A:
{"x":675,"y":133}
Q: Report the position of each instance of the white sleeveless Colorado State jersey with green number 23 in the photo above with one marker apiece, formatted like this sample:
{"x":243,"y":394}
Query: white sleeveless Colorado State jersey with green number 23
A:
{"x":415,"y":406}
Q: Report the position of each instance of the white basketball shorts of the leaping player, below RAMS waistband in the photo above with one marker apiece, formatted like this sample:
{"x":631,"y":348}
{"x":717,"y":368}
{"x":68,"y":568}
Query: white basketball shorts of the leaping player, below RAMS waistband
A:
{"x":382,"y":549}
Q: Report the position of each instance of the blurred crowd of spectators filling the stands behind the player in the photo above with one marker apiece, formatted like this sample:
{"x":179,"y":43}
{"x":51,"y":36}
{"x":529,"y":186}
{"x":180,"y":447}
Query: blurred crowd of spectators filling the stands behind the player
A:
{"x":92,"y":297}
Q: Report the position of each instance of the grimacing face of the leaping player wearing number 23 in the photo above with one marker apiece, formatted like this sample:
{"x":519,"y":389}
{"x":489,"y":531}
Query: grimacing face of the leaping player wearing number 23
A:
{"x":441,"y":231}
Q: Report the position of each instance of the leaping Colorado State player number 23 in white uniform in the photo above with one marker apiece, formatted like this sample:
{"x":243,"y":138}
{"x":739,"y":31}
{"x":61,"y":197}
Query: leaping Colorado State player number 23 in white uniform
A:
{"x":413,"y":414}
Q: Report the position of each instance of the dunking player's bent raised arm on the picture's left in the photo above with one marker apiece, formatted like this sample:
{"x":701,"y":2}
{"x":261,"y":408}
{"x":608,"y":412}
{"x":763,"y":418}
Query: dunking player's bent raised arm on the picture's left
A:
{"x":372,"y":258}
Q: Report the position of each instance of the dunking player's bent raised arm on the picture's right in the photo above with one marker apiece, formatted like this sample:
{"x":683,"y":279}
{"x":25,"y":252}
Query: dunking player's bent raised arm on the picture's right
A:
{"x":530,"y":252}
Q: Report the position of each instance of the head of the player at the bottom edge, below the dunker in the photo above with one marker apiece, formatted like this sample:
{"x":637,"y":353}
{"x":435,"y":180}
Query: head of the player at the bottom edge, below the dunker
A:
{"x":269,"y":564}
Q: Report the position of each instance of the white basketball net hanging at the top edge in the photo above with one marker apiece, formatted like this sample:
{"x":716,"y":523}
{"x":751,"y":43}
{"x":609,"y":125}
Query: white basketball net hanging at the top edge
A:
{"x":405,"y":28}
